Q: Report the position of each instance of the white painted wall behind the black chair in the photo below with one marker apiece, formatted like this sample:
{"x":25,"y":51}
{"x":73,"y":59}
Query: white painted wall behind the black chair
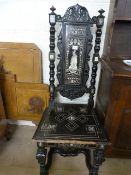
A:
{"x":27,"y":21}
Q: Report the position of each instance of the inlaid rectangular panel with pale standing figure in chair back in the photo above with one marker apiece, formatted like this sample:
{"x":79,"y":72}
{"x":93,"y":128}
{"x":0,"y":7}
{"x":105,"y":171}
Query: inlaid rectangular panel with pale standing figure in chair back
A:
{"x":74,"y":53}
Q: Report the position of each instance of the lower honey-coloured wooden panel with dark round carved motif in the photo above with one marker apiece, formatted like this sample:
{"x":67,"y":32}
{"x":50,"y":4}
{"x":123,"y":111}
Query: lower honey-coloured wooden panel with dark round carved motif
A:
{"x":17,"y":98}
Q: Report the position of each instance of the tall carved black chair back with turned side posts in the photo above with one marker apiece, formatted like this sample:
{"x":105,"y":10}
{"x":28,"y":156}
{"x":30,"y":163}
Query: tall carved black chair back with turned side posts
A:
{"x":74,"y":45}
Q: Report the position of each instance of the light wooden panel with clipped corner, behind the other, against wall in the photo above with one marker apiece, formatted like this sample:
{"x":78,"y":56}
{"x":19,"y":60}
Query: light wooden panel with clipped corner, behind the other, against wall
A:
{"x":23,"y":60}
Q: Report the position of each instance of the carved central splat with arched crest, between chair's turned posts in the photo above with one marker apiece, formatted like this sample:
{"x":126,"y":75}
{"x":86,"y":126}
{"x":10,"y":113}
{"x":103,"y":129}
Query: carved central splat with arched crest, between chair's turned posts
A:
{"x":74,"y":44}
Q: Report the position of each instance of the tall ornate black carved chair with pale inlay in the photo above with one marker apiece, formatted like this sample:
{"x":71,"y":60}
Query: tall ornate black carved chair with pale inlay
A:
{"x":69,"y":129}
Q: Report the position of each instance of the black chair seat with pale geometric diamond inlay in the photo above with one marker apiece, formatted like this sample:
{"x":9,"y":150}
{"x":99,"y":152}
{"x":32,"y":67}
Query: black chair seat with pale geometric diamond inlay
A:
{"x":70,"y":122}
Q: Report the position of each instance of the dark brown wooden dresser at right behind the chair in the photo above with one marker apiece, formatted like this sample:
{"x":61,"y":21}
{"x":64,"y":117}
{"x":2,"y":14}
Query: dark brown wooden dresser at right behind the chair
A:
{"x":114,"y":94}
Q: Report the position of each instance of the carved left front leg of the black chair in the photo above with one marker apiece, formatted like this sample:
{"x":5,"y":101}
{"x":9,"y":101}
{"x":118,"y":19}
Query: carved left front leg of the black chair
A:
{"x":41,"y":157}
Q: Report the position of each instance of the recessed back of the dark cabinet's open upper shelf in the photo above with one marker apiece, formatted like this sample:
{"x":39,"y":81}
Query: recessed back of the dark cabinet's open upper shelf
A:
{"x":120,"y":39}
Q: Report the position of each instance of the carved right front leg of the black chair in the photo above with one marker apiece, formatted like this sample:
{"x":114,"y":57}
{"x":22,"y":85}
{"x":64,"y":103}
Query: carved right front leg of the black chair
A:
{"x":94,"y":158}
